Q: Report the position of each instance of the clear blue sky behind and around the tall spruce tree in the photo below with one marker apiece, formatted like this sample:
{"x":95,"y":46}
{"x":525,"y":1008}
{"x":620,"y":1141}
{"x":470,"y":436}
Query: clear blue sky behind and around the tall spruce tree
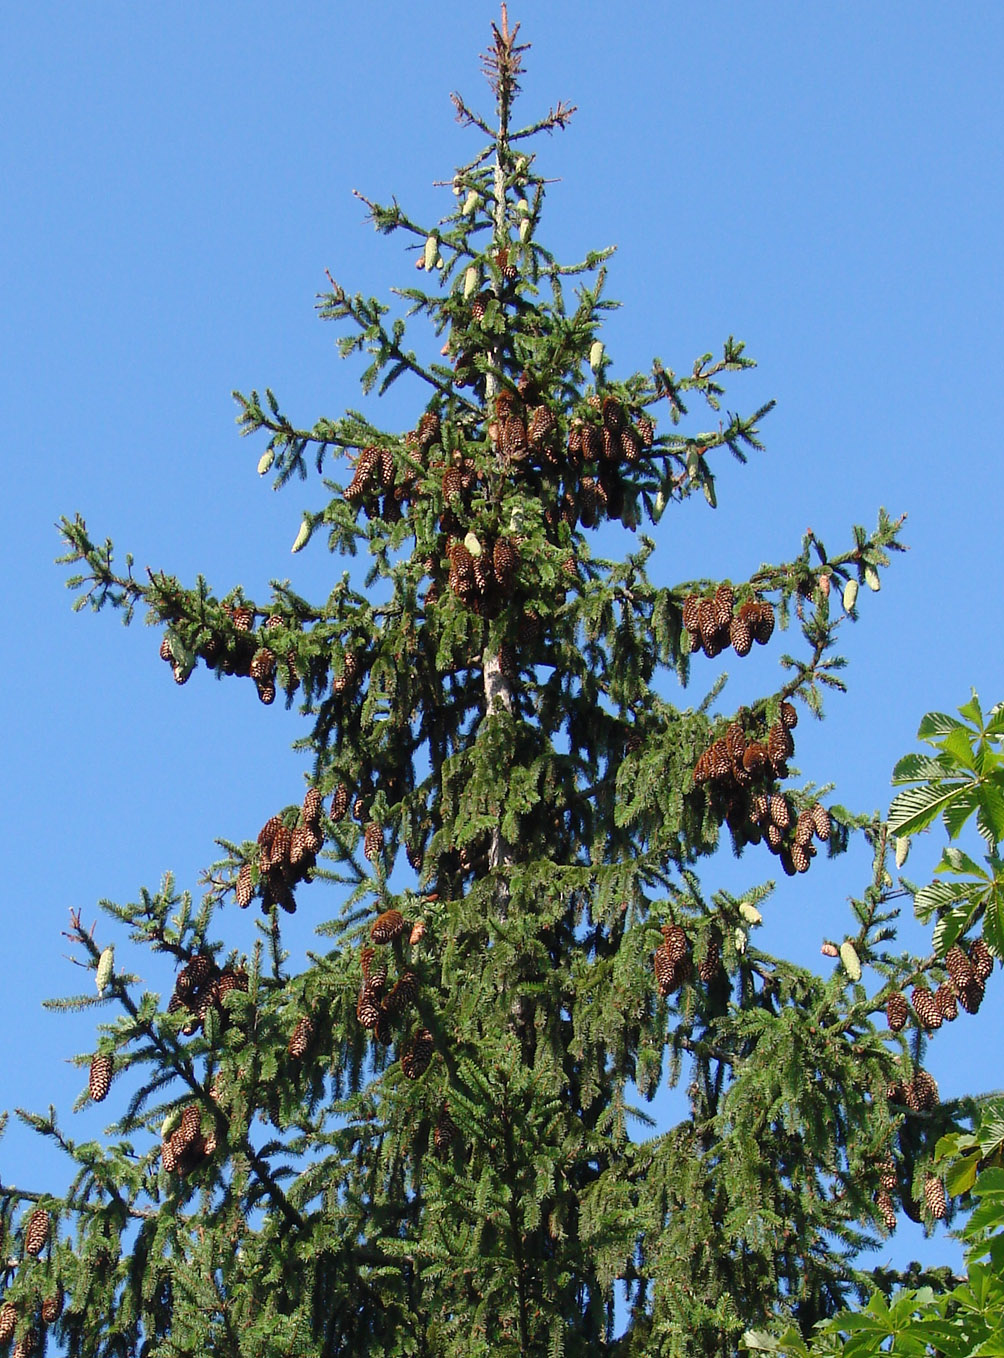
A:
{"x":821,"y":181}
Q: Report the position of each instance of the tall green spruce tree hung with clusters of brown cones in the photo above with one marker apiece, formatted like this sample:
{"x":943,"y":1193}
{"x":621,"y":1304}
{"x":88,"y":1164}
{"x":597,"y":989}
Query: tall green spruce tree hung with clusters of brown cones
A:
{"x":425,"y":1139}
